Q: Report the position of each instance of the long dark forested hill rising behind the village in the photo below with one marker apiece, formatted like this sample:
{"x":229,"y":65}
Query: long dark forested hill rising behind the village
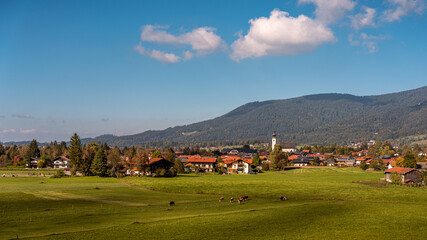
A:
{"x":313,"y":119}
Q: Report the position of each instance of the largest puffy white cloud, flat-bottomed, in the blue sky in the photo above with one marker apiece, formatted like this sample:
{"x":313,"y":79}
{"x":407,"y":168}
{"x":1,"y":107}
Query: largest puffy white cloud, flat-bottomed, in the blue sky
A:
{"x":281,"y":34}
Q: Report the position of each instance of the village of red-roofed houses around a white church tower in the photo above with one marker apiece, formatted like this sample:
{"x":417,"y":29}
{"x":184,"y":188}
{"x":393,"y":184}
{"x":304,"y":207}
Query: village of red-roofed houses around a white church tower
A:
{"x":399,"y":168}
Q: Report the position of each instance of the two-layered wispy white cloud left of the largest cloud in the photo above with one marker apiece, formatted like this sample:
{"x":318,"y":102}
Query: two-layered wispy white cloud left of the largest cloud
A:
{"x":202,"y":40}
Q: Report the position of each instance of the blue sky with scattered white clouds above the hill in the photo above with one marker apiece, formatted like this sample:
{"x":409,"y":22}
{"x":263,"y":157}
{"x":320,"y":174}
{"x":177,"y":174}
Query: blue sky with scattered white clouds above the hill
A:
{"x":123,"y":67}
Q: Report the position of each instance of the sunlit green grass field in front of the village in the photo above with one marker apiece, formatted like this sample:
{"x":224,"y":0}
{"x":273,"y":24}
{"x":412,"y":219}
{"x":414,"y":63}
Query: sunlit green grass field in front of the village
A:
{"x":325,"y":203}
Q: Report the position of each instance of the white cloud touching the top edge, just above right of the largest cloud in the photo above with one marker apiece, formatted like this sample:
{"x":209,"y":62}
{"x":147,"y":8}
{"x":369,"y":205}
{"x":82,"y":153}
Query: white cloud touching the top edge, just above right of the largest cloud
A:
{"x":330,"y":11}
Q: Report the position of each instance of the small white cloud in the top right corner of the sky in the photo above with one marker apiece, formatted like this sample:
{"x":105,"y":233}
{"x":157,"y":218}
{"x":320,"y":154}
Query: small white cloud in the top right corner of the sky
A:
{"x":402,"y":8}
